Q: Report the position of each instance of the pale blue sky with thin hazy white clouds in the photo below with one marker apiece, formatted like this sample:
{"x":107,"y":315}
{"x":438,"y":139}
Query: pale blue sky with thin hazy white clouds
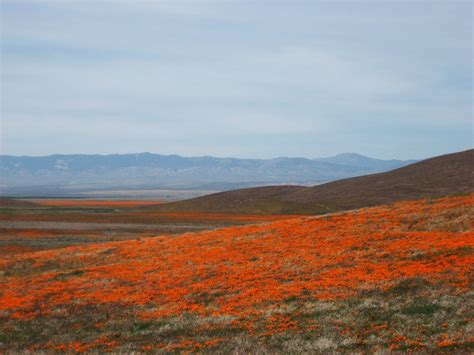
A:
{"x":253,"y":79}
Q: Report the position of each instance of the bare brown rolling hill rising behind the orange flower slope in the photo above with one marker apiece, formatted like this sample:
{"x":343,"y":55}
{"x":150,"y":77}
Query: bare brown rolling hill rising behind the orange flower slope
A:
{"x":440,"y":176}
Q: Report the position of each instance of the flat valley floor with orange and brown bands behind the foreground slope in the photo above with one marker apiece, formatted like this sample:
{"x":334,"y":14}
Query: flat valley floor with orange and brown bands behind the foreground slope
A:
{"x":45,"y":224}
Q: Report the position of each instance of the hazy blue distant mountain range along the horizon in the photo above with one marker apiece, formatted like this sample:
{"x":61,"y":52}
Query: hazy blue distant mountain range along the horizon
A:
{"x":147,"y":171}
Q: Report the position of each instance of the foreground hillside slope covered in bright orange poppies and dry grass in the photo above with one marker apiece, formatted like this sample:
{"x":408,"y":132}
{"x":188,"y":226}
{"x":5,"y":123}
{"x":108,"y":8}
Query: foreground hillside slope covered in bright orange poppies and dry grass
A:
{"x":395,"y":277}
